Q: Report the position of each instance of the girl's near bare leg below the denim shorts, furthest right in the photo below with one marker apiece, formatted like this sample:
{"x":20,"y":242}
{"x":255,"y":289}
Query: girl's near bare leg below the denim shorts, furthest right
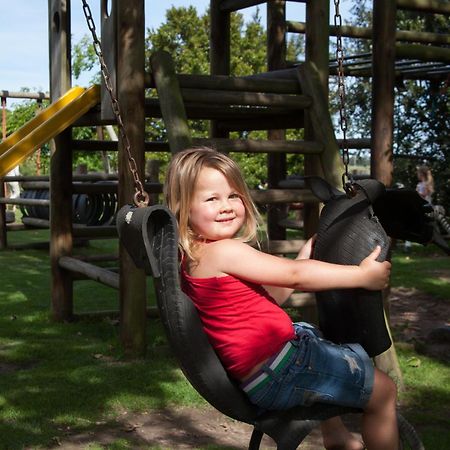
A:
{"x":379,"y":423}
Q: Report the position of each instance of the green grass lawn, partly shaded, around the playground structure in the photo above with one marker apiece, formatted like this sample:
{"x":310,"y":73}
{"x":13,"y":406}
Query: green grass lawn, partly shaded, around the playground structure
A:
{"x":56,"y":377}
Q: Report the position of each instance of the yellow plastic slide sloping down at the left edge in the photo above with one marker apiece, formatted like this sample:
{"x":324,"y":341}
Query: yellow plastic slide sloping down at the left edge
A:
{"x":46,"y":125}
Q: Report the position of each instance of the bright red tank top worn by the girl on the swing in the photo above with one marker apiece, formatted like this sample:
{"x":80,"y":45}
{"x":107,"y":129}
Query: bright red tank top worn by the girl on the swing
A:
{"x":243,"y":323}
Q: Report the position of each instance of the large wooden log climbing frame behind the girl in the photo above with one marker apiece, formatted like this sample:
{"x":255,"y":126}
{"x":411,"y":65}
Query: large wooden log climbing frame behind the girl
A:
{"x":286,"y":96}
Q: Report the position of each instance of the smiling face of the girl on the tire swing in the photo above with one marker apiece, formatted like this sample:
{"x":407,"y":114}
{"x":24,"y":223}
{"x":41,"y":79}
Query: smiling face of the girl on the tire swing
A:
{"x":217,"y":211}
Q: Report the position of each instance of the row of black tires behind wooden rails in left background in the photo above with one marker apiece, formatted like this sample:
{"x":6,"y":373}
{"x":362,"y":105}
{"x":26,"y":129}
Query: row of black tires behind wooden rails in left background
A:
{"x":87,"y":209}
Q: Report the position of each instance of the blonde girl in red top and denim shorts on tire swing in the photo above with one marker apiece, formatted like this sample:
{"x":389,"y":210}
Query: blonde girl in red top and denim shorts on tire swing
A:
{"x":238,"y":291}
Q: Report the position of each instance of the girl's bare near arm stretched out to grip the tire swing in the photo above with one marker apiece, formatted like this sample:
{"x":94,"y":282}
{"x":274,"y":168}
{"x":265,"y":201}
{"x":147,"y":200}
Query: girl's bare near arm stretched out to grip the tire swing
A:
{"x":235,"y":258}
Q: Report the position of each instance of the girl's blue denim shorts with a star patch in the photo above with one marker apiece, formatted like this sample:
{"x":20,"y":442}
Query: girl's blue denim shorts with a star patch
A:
{"x":313,"y":370}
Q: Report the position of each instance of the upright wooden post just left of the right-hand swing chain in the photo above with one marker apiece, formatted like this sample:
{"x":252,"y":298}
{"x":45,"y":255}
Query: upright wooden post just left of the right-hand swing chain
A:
{"x":317,"y":38}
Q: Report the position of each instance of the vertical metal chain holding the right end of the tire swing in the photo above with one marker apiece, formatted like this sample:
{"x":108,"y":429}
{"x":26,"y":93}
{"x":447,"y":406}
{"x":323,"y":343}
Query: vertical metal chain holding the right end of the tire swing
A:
{"x":347,"y":179}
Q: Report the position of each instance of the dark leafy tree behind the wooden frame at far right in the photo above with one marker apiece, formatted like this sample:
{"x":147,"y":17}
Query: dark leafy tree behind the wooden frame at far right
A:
{"x":421,"y":119}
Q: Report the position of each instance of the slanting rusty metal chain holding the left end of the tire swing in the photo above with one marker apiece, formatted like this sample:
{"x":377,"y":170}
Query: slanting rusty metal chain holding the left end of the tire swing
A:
{"x":140,"y":198}
